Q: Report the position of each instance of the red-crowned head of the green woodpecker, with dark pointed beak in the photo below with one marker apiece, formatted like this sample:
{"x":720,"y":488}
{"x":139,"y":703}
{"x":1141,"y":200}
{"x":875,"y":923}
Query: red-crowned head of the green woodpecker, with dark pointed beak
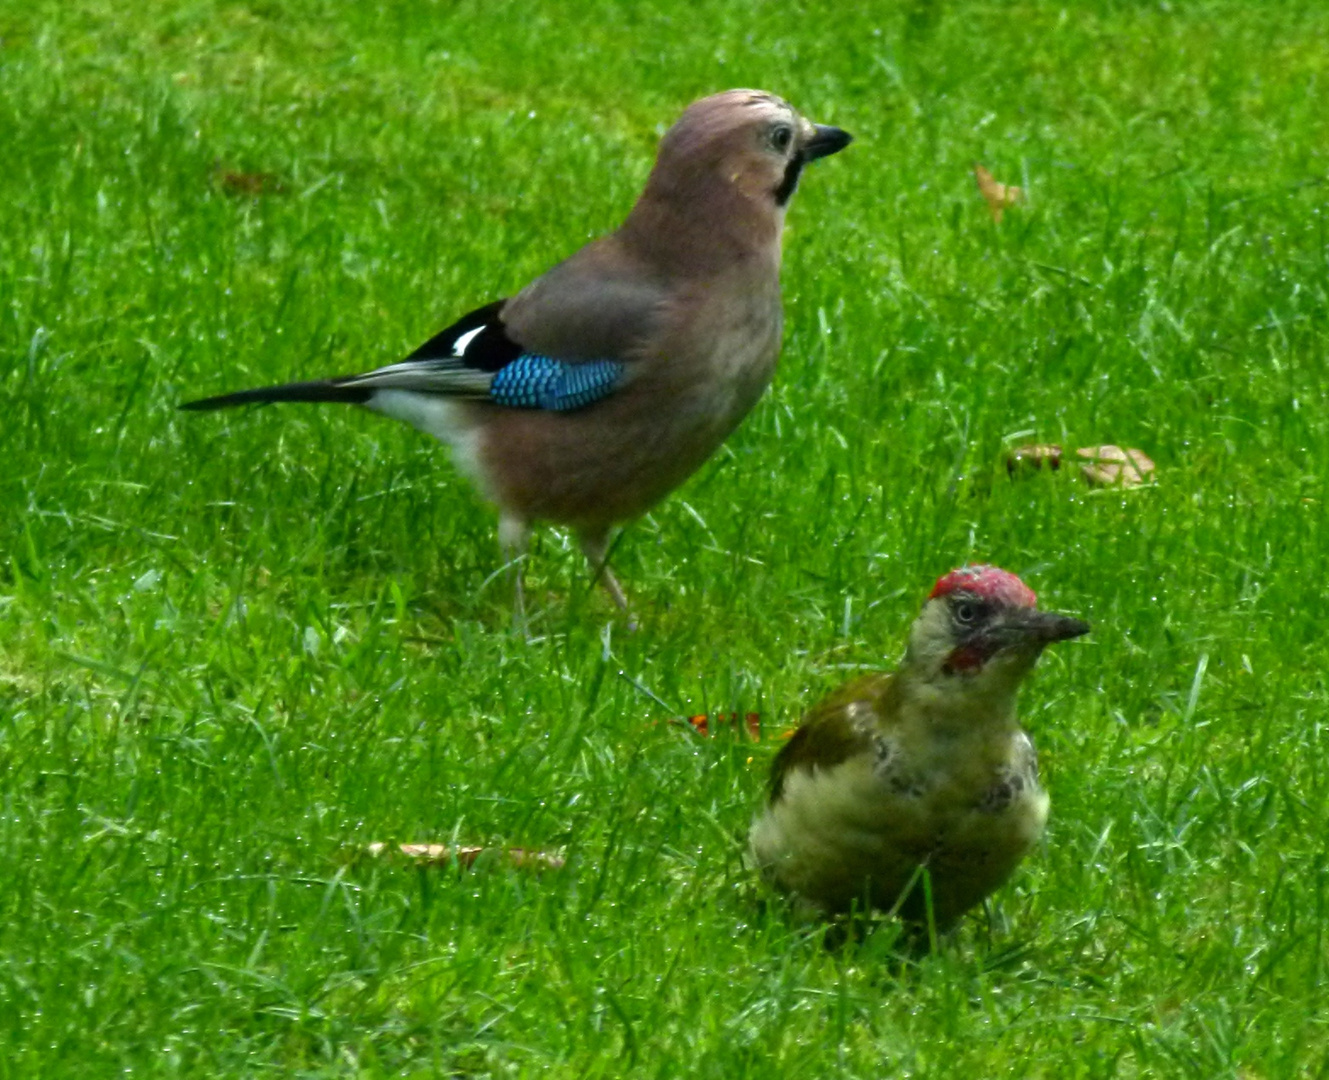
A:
{"x":981,"y":630}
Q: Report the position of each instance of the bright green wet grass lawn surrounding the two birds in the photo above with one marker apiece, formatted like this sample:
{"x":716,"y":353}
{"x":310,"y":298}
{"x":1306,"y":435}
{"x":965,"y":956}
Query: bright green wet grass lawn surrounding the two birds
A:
{"x":236,"y":648}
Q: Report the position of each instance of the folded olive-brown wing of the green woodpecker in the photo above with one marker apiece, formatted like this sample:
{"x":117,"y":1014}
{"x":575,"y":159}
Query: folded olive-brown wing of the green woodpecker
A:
{"x":837,"y":729}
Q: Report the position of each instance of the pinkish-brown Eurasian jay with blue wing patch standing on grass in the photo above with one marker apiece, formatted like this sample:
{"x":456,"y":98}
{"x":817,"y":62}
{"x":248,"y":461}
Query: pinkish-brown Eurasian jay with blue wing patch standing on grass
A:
{"x":605,"y":383}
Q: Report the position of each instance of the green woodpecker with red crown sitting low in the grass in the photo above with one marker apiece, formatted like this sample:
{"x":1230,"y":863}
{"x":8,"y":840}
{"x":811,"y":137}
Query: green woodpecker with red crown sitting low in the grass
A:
{"x":924,"y":768}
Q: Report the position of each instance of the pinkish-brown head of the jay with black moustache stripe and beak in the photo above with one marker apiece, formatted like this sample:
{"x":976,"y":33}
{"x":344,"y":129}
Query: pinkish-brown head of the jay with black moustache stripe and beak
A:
{"x":748,"y":141}
